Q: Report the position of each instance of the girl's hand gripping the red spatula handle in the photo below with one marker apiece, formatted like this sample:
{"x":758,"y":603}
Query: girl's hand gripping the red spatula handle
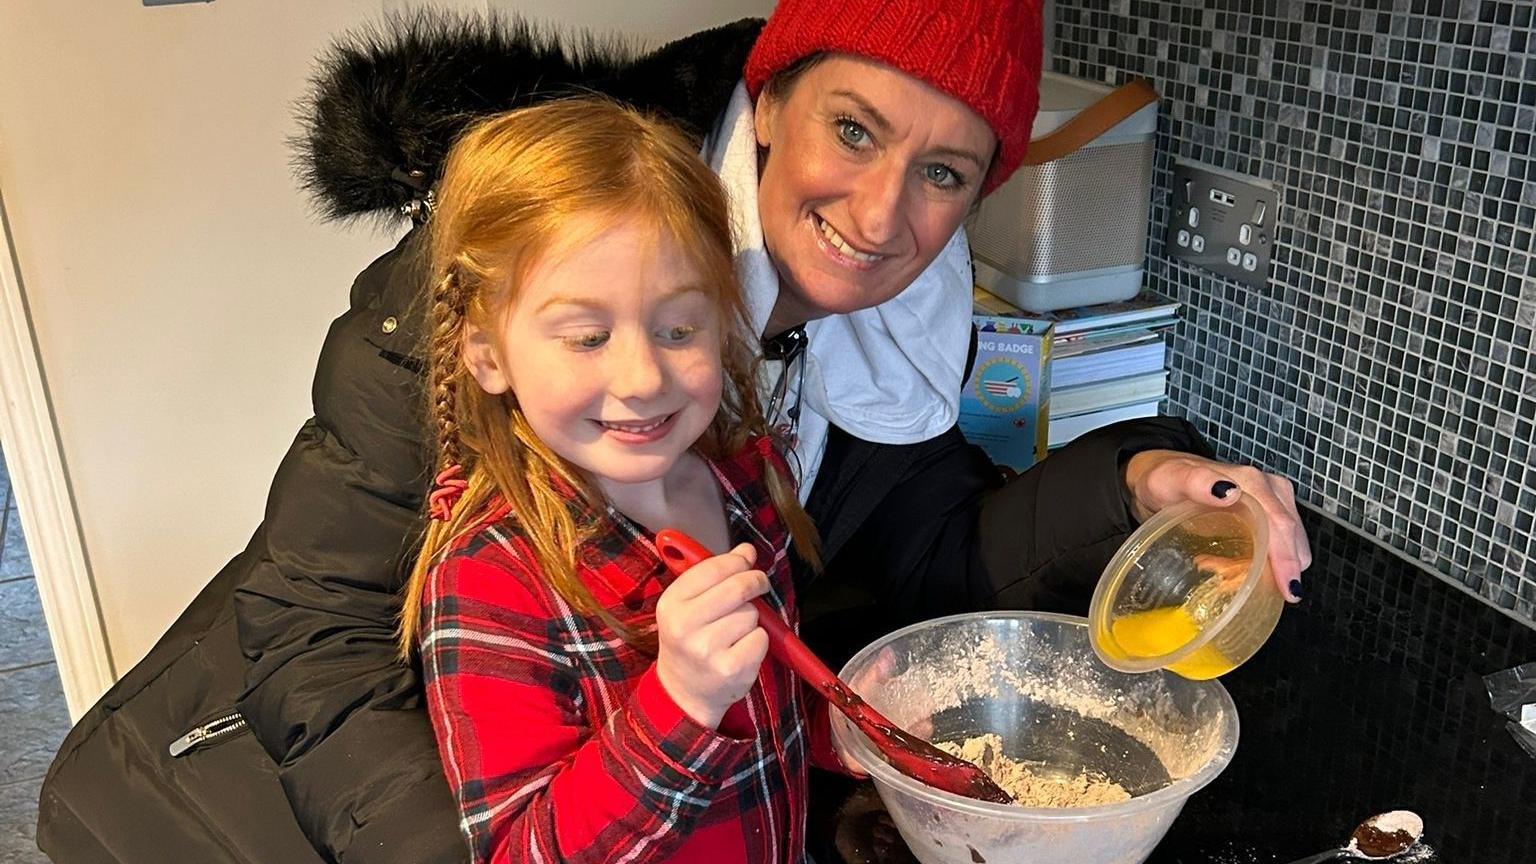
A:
{"x":709,"y":640}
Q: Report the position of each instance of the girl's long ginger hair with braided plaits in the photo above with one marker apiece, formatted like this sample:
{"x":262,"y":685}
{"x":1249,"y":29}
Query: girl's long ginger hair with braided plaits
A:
{"x":511,"y":191}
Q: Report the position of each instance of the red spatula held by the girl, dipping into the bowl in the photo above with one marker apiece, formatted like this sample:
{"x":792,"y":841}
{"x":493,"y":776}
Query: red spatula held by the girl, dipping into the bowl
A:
{"x":907,"y":754}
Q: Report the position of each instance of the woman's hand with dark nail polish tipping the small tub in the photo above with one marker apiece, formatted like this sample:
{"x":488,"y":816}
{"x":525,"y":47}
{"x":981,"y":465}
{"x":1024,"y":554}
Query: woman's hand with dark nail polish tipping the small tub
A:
{"x":1160,"y":479}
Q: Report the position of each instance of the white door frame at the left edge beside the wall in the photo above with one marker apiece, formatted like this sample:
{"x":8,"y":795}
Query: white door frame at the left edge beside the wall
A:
{"x":45,"y":502}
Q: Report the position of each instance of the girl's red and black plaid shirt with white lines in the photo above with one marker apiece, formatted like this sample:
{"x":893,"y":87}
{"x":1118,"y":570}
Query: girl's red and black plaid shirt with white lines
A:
{"x":560,"y":742}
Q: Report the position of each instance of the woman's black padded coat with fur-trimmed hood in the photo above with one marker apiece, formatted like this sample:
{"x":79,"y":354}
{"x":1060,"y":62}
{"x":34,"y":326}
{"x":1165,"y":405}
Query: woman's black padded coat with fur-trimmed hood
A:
{"x":294,"y":639}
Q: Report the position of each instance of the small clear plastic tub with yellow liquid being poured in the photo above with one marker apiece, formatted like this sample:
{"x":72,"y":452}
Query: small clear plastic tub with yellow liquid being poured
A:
{"x":1191,"y":591}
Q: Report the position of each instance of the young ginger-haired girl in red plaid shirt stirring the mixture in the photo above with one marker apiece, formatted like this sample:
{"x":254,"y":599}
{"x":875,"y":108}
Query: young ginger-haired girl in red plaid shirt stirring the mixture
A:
{"x":589,"y":388}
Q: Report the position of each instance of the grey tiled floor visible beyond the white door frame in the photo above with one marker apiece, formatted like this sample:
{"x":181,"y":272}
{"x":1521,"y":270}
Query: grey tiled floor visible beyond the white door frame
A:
{"x":33,"y":714}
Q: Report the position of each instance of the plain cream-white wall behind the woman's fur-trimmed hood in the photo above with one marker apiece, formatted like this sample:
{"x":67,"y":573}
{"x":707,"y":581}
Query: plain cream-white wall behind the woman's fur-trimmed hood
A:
{"x":177,"y":282}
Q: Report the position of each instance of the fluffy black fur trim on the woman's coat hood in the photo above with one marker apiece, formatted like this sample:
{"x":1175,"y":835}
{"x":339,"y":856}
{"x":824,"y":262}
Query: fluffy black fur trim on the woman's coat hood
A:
{"x":388,"y":101}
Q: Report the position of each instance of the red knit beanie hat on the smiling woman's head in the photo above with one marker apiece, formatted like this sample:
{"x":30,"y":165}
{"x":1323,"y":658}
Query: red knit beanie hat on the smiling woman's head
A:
{"x":984,"y":53}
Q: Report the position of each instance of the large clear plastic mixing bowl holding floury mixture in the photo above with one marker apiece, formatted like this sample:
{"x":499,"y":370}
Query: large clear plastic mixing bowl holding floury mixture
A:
{"x":1033,"y":679}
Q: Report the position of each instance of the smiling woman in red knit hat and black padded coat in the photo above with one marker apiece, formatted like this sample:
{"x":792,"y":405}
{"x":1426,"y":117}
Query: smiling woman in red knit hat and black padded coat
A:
{"x":864,"y":135}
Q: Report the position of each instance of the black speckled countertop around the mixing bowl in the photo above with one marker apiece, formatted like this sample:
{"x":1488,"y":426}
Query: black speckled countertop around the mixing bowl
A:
{"x":1368,"y":699}
